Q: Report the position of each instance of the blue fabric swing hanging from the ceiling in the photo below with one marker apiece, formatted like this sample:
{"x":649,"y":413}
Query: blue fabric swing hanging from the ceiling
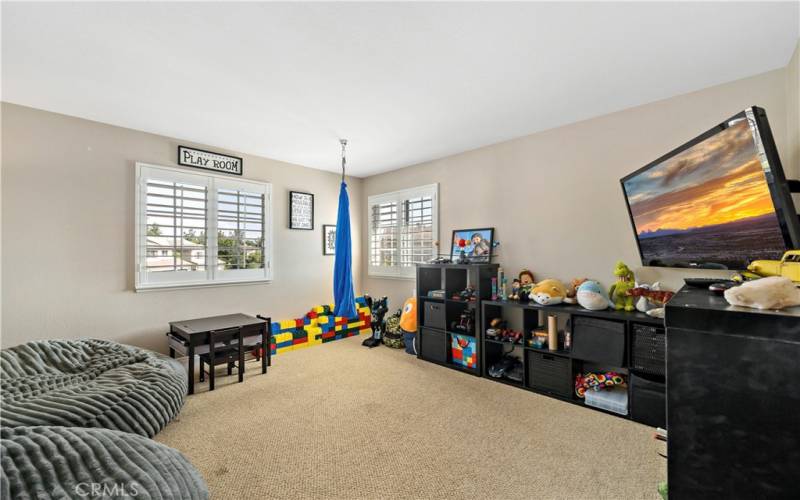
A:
{"x":343,"y":295}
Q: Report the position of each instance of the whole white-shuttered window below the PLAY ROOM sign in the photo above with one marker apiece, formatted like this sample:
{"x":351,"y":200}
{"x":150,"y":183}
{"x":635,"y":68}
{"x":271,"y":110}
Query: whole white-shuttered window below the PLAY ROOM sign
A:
{"x":200,"y":229}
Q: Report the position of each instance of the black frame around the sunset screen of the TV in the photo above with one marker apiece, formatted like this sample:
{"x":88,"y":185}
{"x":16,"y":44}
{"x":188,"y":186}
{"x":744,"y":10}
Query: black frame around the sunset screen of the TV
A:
{"x":776,"y":180}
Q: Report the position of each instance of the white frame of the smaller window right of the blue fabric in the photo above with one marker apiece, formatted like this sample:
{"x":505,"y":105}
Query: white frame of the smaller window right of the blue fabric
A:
{"x":398,"y":271}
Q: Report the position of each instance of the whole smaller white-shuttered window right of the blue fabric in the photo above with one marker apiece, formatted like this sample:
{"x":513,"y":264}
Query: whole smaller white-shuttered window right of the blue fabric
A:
{"x":403,"y":230}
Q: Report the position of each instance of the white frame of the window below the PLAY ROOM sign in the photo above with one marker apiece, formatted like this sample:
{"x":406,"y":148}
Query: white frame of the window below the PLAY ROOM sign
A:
{"x":144,"y":281}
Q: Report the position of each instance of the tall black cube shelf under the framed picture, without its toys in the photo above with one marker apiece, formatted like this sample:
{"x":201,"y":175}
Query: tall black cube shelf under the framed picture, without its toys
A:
{"x":435,"y":316}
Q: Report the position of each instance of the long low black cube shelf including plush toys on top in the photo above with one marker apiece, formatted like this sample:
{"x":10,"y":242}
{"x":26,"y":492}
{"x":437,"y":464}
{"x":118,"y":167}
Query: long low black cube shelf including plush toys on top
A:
{"x":598,"y":351}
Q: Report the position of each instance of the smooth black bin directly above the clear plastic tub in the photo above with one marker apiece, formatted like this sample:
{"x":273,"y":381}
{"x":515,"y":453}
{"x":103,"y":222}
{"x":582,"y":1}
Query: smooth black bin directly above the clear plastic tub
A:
{"x":598,"y":340}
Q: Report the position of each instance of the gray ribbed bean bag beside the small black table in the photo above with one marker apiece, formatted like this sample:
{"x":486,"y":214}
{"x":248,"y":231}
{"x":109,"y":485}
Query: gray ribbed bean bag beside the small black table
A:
{"x":89,"y":383}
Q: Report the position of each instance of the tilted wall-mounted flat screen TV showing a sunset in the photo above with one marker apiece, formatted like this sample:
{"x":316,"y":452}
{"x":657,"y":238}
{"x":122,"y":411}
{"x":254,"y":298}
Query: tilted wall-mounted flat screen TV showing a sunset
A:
{"x":716,"y":202}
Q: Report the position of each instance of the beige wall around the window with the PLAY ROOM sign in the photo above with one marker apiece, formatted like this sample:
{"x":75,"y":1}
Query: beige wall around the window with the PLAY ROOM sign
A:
{"x":67,"y":234}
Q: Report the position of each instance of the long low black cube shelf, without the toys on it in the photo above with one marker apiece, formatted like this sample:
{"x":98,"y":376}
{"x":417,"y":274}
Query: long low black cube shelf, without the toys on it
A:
{"x":604,"y":339}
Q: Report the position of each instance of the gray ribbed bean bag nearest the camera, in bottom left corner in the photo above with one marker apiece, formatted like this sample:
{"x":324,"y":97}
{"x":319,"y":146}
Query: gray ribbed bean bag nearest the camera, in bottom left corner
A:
{"x":71,"y":462}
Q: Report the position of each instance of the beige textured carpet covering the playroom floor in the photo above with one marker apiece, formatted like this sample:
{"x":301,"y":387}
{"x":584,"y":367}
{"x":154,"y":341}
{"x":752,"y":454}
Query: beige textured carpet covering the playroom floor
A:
{"x":343,"y":421}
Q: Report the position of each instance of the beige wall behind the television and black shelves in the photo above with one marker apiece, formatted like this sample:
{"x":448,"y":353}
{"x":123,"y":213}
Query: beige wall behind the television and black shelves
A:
{"x":554,"y":197}
